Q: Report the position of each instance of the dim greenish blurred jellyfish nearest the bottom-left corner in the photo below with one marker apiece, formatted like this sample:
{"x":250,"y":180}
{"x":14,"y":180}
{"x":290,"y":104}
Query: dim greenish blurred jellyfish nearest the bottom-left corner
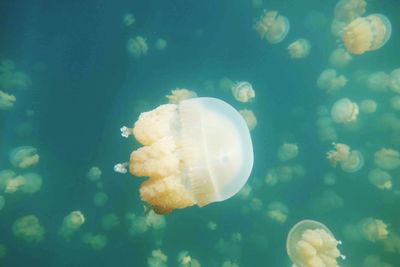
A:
{"x":28,"y":228}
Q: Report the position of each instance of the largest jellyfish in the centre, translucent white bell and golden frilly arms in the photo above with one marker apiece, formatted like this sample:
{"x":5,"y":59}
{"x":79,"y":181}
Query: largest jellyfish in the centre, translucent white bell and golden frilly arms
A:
{"x":196,"y":152}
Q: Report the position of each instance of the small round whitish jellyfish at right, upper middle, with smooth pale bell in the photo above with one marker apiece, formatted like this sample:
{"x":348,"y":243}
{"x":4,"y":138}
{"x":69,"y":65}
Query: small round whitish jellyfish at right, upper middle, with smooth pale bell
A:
{"x":344,"y":111}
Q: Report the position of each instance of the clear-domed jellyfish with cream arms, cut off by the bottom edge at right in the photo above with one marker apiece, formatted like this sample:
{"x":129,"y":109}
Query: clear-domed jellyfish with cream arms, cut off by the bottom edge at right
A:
{"x":311,"y":244}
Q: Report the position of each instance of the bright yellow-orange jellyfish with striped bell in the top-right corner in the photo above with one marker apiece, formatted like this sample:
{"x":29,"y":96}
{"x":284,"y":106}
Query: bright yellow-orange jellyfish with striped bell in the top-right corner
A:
{"x":366,"y":34}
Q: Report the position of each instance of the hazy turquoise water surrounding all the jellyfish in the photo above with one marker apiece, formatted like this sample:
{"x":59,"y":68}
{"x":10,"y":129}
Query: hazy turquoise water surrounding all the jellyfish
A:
{"x":84,"y":85}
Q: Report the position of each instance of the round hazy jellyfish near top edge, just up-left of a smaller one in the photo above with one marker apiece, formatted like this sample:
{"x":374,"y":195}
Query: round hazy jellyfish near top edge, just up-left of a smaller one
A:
{"x":272,"y":27}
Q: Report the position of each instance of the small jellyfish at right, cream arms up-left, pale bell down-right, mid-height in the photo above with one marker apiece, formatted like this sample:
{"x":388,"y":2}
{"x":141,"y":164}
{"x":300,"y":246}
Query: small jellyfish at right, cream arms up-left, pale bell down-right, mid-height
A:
{"x":350,"y":160}
